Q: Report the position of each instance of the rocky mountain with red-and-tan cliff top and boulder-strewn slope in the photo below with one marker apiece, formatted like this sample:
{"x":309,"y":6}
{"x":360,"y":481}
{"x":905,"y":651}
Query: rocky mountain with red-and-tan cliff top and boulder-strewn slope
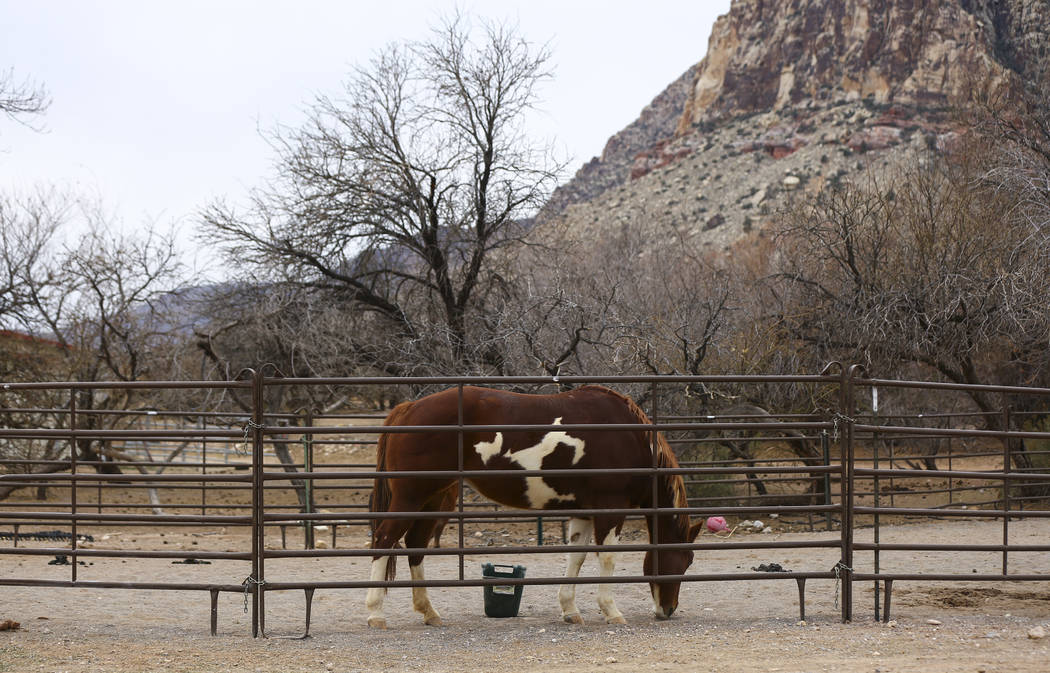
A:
{"x":793,"y":94}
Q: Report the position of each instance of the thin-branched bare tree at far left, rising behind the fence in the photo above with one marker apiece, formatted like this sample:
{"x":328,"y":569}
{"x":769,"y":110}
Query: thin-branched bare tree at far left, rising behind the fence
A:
{"x":97,"y":312}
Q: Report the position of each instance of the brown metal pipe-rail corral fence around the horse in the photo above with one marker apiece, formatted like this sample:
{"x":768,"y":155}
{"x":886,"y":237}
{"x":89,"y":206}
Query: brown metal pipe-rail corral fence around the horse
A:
{"x":855,"y":472}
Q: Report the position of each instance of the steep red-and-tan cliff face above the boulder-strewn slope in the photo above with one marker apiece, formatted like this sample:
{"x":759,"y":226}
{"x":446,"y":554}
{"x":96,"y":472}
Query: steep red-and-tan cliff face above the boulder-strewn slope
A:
{"x":775,"y":55}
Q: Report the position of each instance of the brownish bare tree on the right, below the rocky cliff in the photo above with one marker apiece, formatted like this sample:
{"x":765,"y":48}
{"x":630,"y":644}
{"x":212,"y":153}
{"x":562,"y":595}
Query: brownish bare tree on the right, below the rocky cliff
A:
{"x":933,"y":269}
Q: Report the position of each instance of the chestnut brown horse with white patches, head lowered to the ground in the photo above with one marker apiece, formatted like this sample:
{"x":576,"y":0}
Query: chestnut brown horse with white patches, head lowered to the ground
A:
{"x":593,"y":452}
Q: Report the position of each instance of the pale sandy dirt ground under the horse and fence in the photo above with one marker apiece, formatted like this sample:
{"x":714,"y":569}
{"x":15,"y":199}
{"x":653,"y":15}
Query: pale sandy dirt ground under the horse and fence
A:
{"x":721,"y":626}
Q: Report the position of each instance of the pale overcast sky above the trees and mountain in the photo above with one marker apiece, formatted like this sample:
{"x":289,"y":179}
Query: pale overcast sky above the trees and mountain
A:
{"x":158,"y":107}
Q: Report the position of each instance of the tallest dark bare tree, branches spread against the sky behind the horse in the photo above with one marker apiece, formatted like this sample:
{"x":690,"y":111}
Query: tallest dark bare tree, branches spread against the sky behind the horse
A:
{"x":394,"y":197}
